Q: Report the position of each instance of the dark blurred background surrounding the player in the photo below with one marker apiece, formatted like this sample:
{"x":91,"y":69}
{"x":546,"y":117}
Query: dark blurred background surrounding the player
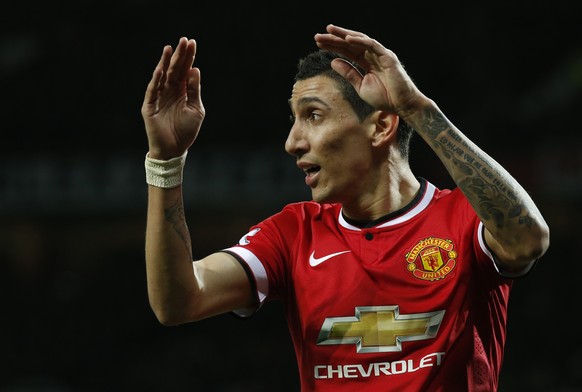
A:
{"x":75,"y":315}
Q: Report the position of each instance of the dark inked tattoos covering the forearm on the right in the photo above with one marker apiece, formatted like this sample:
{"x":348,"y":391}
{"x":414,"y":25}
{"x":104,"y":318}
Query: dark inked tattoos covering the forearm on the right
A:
{"x":488,"y":190}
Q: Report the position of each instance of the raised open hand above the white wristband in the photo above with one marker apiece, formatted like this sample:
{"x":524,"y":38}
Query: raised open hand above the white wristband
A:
{"x":172,"y":108}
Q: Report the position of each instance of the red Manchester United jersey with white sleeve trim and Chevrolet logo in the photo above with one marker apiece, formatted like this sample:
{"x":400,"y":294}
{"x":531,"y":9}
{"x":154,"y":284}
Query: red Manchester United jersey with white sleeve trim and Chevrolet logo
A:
{"x":414,"y":303}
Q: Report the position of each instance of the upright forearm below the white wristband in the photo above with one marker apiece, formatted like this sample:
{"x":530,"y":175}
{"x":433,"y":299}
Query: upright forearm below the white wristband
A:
{"x":170,"y":278}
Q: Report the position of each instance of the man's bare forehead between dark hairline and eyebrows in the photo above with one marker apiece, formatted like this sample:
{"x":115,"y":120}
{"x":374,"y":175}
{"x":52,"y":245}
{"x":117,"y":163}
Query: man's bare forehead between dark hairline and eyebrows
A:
{"x":317,"y":89}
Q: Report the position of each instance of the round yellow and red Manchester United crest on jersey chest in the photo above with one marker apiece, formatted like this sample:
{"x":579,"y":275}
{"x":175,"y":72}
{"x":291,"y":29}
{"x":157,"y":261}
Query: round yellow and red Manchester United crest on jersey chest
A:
{"x":431,"y":259}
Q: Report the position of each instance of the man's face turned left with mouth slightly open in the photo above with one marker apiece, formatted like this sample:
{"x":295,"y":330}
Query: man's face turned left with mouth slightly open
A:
{"x":330,"y":144}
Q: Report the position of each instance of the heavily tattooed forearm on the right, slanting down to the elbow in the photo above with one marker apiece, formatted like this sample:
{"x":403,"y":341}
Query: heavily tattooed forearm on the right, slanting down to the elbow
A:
{"x":518,"y":230}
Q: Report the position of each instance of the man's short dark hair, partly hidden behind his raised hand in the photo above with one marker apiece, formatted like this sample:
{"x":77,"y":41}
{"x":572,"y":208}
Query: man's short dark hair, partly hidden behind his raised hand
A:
{"x":319,"y":63}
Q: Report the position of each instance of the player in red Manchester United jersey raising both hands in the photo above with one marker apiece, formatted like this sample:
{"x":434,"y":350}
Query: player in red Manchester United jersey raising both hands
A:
{"x":388,"y":282}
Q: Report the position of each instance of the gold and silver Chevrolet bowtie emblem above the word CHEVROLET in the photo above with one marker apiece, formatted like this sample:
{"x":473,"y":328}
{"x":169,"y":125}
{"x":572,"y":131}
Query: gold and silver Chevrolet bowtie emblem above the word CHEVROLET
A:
{"x":379,"y":328}
